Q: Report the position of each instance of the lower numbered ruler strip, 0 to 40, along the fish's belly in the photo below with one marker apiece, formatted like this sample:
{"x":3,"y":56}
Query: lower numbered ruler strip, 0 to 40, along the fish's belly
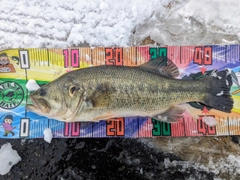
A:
{"x":129,"y":127}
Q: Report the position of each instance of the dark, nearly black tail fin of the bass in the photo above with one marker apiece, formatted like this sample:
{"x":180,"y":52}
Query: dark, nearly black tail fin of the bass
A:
{"x":218,"y":96}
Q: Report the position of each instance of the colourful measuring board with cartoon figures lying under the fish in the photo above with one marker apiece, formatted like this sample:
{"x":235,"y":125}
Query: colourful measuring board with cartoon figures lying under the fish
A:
{"x":17,"y":66}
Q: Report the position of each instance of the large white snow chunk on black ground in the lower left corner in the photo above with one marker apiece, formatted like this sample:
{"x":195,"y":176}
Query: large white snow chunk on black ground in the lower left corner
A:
{"x":8,"y":158}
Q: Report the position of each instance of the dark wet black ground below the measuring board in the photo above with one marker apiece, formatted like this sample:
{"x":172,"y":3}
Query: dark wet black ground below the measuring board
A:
{"x":98,"y":159}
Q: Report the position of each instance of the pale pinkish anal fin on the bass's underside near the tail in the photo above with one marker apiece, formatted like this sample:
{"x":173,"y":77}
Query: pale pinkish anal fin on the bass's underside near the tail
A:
{"x":173,"y":114}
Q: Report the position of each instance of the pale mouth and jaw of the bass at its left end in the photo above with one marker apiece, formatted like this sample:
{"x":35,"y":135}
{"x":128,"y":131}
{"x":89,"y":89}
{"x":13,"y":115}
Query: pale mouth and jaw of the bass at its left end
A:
{"x":38,"y":106}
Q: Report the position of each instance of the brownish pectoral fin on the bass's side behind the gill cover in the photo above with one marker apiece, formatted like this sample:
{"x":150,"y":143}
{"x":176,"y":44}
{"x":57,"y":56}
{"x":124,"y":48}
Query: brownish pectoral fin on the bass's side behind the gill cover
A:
{"x":101,"y":96}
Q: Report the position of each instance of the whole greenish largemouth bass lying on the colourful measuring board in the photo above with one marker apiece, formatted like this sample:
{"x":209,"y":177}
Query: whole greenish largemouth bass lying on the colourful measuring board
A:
{"x":149,"y":90}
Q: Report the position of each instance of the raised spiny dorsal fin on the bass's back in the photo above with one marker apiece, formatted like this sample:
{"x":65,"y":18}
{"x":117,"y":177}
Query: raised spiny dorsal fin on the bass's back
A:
{"x":161,"y":65}
